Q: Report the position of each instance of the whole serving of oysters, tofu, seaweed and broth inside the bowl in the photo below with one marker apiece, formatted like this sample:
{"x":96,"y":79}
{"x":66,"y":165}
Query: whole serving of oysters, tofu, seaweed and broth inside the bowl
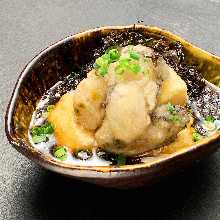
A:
{"x":183,"y":107}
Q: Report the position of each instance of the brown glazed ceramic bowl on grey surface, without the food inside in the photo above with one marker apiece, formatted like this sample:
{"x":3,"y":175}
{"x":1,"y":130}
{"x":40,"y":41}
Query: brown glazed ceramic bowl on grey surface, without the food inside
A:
{"x":56,"y":62}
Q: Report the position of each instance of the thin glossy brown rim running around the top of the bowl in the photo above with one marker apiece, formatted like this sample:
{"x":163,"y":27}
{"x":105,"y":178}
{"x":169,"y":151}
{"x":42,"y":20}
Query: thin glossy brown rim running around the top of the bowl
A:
{"x":48,"y":162}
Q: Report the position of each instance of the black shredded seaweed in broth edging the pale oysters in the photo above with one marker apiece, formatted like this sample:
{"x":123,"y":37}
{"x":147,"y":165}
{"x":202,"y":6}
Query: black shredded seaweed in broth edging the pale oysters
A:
{"x":203,"y":100}
